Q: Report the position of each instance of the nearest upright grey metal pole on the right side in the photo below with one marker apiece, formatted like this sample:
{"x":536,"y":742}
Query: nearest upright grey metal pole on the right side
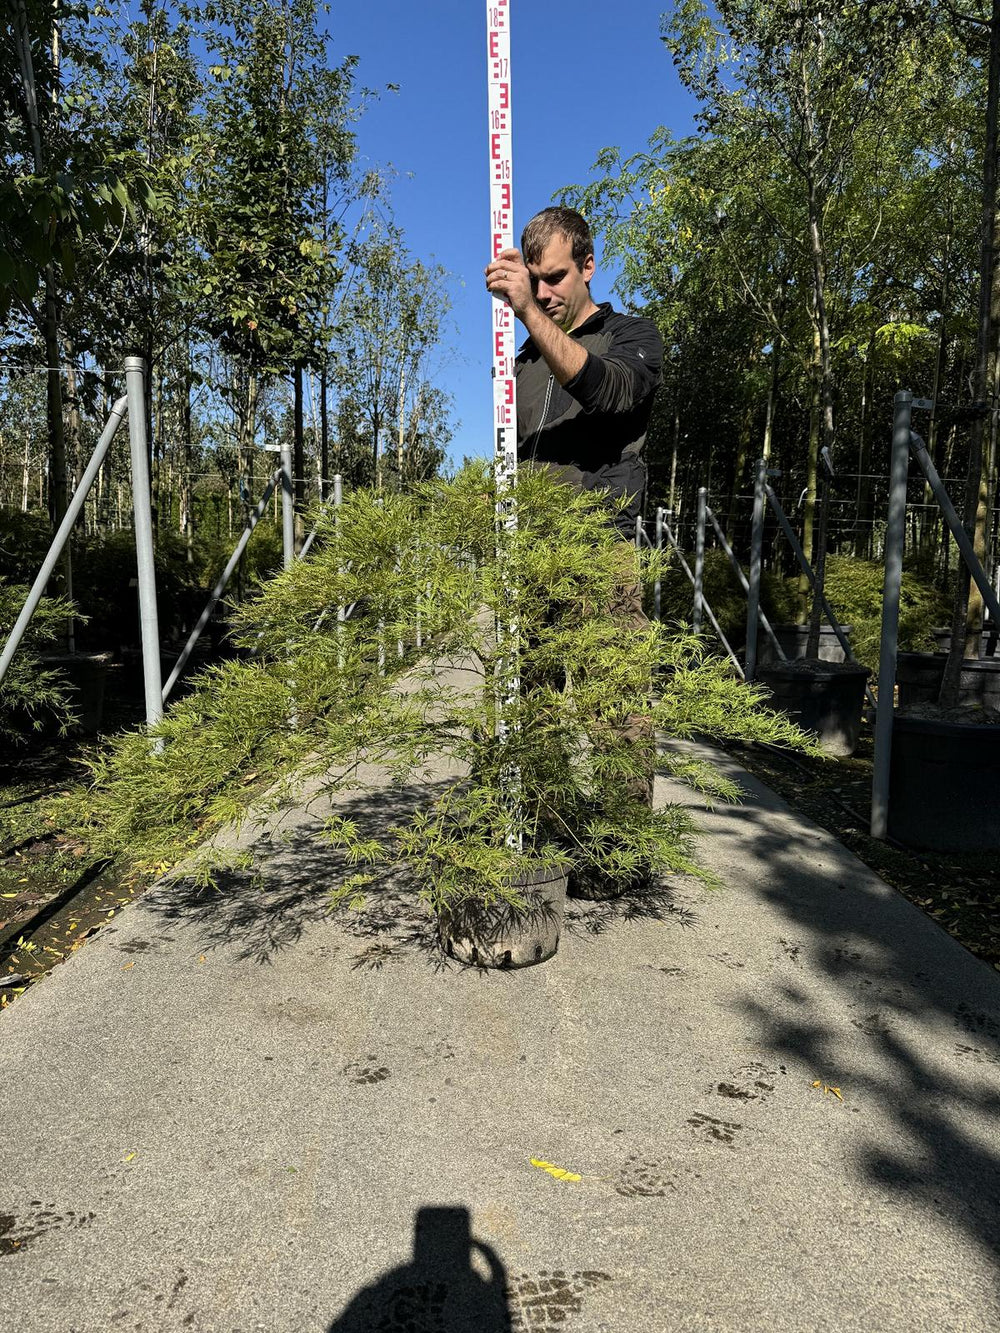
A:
{"x":895,"y":542}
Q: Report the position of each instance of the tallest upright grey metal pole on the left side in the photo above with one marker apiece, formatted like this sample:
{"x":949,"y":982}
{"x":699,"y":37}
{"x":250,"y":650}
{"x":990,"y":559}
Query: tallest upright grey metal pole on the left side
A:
{"x":142,"y":509}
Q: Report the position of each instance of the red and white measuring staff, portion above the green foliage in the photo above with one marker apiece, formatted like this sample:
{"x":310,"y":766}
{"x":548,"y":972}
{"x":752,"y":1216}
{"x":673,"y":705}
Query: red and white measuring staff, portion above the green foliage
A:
{"x":502,"y":233}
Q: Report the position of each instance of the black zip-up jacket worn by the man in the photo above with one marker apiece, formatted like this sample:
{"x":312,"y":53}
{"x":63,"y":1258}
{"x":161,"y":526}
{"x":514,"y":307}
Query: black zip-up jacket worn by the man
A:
{"x":593,"y":430}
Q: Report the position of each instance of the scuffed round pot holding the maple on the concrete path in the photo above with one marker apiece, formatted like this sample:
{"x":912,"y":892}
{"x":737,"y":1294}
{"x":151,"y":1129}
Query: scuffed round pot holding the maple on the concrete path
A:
{"x":499,"y":936}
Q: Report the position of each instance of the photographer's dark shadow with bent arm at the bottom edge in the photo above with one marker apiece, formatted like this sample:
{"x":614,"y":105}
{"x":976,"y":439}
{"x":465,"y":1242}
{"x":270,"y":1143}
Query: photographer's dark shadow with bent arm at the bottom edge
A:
{"x":442,"y":1290}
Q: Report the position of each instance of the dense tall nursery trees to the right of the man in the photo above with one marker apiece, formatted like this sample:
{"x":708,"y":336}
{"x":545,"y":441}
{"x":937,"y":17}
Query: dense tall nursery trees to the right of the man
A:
{"x":825,"y":238}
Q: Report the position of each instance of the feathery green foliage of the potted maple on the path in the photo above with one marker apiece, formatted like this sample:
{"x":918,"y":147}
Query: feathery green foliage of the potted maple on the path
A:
{"x":315,"y":702}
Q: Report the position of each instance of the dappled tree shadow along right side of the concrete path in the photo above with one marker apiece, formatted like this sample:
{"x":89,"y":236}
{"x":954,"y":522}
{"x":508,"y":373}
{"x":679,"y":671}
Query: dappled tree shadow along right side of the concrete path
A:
{"x":890,"y":968}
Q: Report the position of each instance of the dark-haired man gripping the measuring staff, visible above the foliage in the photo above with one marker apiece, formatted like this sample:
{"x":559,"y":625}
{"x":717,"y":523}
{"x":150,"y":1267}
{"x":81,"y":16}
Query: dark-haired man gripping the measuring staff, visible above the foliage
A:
{"x":587,"y":375}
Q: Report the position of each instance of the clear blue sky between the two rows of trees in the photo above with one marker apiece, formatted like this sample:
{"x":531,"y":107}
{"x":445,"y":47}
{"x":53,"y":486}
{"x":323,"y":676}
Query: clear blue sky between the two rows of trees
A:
{"x":586,"y":75}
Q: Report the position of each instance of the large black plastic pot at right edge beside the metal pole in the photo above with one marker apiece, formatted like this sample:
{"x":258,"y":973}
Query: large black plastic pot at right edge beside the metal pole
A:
{"x":945,"y":786}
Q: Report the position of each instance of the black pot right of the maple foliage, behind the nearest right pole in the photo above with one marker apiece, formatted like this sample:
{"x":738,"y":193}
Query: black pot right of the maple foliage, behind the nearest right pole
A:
{"x":823,"y":698}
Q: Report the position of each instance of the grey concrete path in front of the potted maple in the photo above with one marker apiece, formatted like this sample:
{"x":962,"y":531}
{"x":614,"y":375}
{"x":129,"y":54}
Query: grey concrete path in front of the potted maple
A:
{"x":231,"y":1112}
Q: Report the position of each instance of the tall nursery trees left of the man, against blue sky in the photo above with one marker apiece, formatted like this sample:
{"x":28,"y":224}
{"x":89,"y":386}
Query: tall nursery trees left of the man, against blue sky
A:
{"x":183,"y":185}
